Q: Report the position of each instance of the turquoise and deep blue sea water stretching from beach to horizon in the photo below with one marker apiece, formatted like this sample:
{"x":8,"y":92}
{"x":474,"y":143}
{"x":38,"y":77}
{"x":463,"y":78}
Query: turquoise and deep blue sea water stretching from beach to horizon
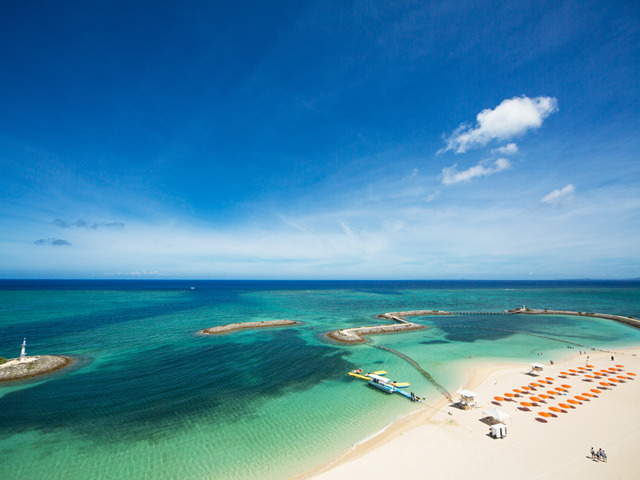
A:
{"x":148,"y":399}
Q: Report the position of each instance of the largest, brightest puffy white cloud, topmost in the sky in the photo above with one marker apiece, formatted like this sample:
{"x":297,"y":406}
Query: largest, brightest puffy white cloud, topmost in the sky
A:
{"x":513,"y":117}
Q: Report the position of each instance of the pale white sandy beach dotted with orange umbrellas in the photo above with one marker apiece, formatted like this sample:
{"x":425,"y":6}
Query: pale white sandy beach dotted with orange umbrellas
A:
{"x":454,"y":443}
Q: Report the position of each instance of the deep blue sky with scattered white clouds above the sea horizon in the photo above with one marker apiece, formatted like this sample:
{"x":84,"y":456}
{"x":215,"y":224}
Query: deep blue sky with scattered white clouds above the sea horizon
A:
{"x":335,"y":139}
